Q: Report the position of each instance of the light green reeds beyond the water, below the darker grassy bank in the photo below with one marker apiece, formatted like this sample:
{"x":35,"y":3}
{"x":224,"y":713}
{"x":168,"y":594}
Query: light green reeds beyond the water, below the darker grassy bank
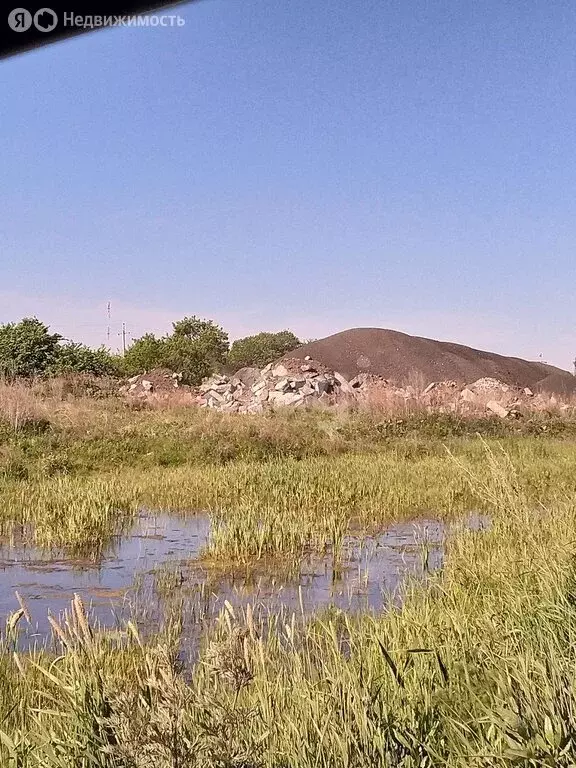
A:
{"x":282,"y":506}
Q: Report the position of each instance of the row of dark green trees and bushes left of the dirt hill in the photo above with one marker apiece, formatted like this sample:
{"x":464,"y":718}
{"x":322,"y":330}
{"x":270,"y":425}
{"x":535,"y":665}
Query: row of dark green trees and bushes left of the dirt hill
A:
{"x":196,"y":348}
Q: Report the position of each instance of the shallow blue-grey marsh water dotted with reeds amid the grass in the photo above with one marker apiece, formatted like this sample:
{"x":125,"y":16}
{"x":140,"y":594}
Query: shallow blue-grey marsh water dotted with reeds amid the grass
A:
{"x":156,"y":567}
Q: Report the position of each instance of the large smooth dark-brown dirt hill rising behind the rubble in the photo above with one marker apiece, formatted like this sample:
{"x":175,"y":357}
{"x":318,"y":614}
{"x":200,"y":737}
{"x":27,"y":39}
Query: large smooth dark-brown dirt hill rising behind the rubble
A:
{"x":399,"y":357}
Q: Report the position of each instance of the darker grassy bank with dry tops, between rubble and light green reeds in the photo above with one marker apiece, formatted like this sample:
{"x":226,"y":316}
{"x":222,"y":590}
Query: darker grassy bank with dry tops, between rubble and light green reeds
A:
{"x":80,"y":437}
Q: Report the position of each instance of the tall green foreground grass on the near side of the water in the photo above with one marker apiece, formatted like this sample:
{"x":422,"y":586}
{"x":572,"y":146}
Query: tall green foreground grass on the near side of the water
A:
{"x":477,"y":668}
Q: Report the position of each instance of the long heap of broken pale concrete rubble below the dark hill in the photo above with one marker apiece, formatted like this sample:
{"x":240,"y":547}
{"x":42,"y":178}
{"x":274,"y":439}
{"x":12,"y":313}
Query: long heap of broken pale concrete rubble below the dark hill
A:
{"x":305,"y":382}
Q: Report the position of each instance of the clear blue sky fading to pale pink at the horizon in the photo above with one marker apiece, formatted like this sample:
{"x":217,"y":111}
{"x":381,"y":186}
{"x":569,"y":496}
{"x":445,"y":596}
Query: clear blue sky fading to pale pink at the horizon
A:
{"x":311,"y":165}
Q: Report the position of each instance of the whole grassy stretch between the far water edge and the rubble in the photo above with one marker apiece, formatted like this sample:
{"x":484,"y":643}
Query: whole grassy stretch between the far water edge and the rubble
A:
{"x":73,"y":471}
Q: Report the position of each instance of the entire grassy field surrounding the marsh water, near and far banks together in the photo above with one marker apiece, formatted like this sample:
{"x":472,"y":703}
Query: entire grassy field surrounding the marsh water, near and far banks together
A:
{"x":475,"y":669}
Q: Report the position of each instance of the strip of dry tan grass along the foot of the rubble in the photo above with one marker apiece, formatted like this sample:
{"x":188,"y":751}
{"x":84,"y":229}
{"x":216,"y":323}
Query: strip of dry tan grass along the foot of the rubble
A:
{"x":63,"y":403}
